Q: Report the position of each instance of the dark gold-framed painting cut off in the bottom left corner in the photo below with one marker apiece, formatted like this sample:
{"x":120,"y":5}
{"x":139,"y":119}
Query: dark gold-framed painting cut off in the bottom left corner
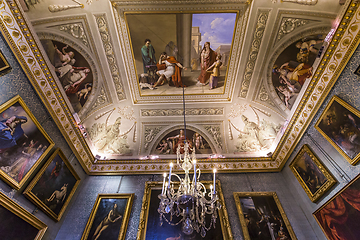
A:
{"x":14,"y":218}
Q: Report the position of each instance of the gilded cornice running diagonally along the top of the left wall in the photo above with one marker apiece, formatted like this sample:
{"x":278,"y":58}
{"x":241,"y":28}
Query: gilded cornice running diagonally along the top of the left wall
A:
{"x":16,"y":32}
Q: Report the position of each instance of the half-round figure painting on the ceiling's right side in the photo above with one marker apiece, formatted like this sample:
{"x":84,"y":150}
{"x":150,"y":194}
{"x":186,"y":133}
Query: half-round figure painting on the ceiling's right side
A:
{"x":294,"y":66}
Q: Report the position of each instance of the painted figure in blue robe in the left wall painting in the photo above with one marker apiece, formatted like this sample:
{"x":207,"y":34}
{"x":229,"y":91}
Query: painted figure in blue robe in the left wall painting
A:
{"x":11,"y":131}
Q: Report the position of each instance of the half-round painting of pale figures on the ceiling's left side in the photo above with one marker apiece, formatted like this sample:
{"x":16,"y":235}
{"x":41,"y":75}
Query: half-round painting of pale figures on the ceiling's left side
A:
{"x":73,"y":71}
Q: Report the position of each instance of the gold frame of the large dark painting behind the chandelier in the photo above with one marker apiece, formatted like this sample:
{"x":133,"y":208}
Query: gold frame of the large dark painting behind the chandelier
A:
{"x":146,"y":205}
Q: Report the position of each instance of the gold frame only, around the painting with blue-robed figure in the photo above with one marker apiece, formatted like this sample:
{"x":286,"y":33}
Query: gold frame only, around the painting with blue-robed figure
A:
{"x":12,"y":182}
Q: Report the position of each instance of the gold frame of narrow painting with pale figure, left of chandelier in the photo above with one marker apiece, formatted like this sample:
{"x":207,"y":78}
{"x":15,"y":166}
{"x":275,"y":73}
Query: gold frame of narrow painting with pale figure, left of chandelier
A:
{"x":125,"y":218}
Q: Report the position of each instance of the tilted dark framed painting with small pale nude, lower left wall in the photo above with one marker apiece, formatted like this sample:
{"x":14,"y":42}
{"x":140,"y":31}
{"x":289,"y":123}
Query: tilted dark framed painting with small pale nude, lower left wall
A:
{"x":54,"y":185}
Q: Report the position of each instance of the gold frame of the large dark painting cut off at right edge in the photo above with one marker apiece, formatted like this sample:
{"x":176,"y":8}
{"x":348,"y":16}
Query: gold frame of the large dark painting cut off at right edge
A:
{"x":345,"y":107}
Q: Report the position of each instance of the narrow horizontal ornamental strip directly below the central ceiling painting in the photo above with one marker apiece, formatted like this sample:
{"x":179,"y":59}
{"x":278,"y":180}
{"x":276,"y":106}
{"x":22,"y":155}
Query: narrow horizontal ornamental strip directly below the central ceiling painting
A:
{"x":179,"y":112}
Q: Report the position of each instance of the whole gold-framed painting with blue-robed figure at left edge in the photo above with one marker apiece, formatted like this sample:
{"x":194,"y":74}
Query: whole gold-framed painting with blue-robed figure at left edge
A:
{"x":23,"y":142}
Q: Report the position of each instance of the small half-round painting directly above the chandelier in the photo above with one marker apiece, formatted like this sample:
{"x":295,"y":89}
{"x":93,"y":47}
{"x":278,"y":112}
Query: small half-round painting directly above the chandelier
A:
{"x":170,"y":142}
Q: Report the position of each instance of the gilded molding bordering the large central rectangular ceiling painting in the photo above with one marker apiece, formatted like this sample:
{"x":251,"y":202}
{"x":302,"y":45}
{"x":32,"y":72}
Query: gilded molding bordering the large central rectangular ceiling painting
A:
{"x":120,"y":9}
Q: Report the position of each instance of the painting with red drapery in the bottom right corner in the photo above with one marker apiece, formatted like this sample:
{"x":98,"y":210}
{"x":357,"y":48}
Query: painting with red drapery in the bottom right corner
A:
{"x":339,"y":217}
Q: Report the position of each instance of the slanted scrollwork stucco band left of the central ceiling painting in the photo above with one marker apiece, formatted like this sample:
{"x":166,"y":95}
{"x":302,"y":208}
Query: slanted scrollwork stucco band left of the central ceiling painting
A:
{"x":108,"y":49}
